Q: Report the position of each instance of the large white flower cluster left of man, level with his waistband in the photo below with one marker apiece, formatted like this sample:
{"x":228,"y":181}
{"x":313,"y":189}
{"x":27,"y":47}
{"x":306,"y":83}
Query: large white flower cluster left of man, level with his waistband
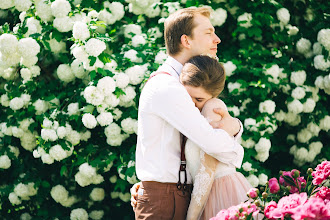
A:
{"x":87,"y":175}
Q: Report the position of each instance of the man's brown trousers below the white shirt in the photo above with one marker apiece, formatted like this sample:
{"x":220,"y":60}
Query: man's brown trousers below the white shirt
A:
{"x":162,"y":201}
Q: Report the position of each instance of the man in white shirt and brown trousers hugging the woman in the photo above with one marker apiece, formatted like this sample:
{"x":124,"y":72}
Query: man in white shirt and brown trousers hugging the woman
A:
{"x":166,"y":111}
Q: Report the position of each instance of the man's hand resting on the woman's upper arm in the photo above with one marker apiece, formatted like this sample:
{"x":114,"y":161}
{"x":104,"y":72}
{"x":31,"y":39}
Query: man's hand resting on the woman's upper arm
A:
{"x":229,"y":124}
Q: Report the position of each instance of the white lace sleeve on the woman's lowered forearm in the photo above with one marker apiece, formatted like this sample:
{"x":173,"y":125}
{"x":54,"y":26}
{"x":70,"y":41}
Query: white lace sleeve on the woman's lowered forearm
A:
{"x":202,"y":181}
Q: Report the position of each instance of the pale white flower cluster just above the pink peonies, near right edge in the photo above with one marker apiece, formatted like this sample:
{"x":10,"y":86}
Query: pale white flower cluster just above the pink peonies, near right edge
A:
{"x":303,"y":155}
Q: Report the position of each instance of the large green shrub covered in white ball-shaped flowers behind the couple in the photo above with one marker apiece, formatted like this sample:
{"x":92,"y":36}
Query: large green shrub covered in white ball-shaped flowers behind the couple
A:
{"x":71,"y":72}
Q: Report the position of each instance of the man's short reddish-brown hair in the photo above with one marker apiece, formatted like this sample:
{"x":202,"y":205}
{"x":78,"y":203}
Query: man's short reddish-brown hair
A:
{"x":179,"y":23}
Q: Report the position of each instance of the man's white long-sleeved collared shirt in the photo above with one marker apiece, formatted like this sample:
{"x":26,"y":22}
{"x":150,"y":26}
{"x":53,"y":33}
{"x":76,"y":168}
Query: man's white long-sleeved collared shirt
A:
{"x":165,"y":110}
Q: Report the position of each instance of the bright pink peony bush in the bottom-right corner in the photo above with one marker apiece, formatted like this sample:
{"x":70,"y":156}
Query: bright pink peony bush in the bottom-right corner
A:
{"x":292,"y":197}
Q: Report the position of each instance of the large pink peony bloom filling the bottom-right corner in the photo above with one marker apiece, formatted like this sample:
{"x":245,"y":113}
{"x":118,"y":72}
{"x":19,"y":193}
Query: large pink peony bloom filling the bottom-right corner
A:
{"x":314,"y":208}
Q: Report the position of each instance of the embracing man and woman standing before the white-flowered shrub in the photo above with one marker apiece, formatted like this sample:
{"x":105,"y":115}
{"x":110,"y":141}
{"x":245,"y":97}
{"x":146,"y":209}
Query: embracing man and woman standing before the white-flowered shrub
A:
{"x":187,"y":150}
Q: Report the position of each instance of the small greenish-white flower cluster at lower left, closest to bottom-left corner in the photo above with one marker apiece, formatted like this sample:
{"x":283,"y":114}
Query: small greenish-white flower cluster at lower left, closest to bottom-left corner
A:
{"x":22,"y":192}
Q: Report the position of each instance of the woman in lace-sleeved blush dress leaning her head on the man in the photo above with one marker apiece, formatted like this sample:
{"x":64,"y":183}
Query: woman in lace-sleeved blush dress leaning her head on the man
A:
{"x":217,"y":185}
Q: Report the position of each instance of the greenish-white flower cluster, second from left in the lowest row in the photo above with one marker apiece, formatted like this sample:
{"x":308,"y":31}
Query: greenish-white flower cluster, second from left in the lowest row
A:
{"x":61,"y":195}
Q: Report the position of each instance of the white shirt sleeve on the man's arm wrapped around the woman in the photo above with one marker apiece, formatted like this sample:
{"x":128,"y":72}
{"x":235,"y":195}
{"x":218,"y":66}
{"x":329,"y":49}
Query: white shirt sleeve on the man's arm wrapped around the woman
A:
{"x":176,"y":107}
